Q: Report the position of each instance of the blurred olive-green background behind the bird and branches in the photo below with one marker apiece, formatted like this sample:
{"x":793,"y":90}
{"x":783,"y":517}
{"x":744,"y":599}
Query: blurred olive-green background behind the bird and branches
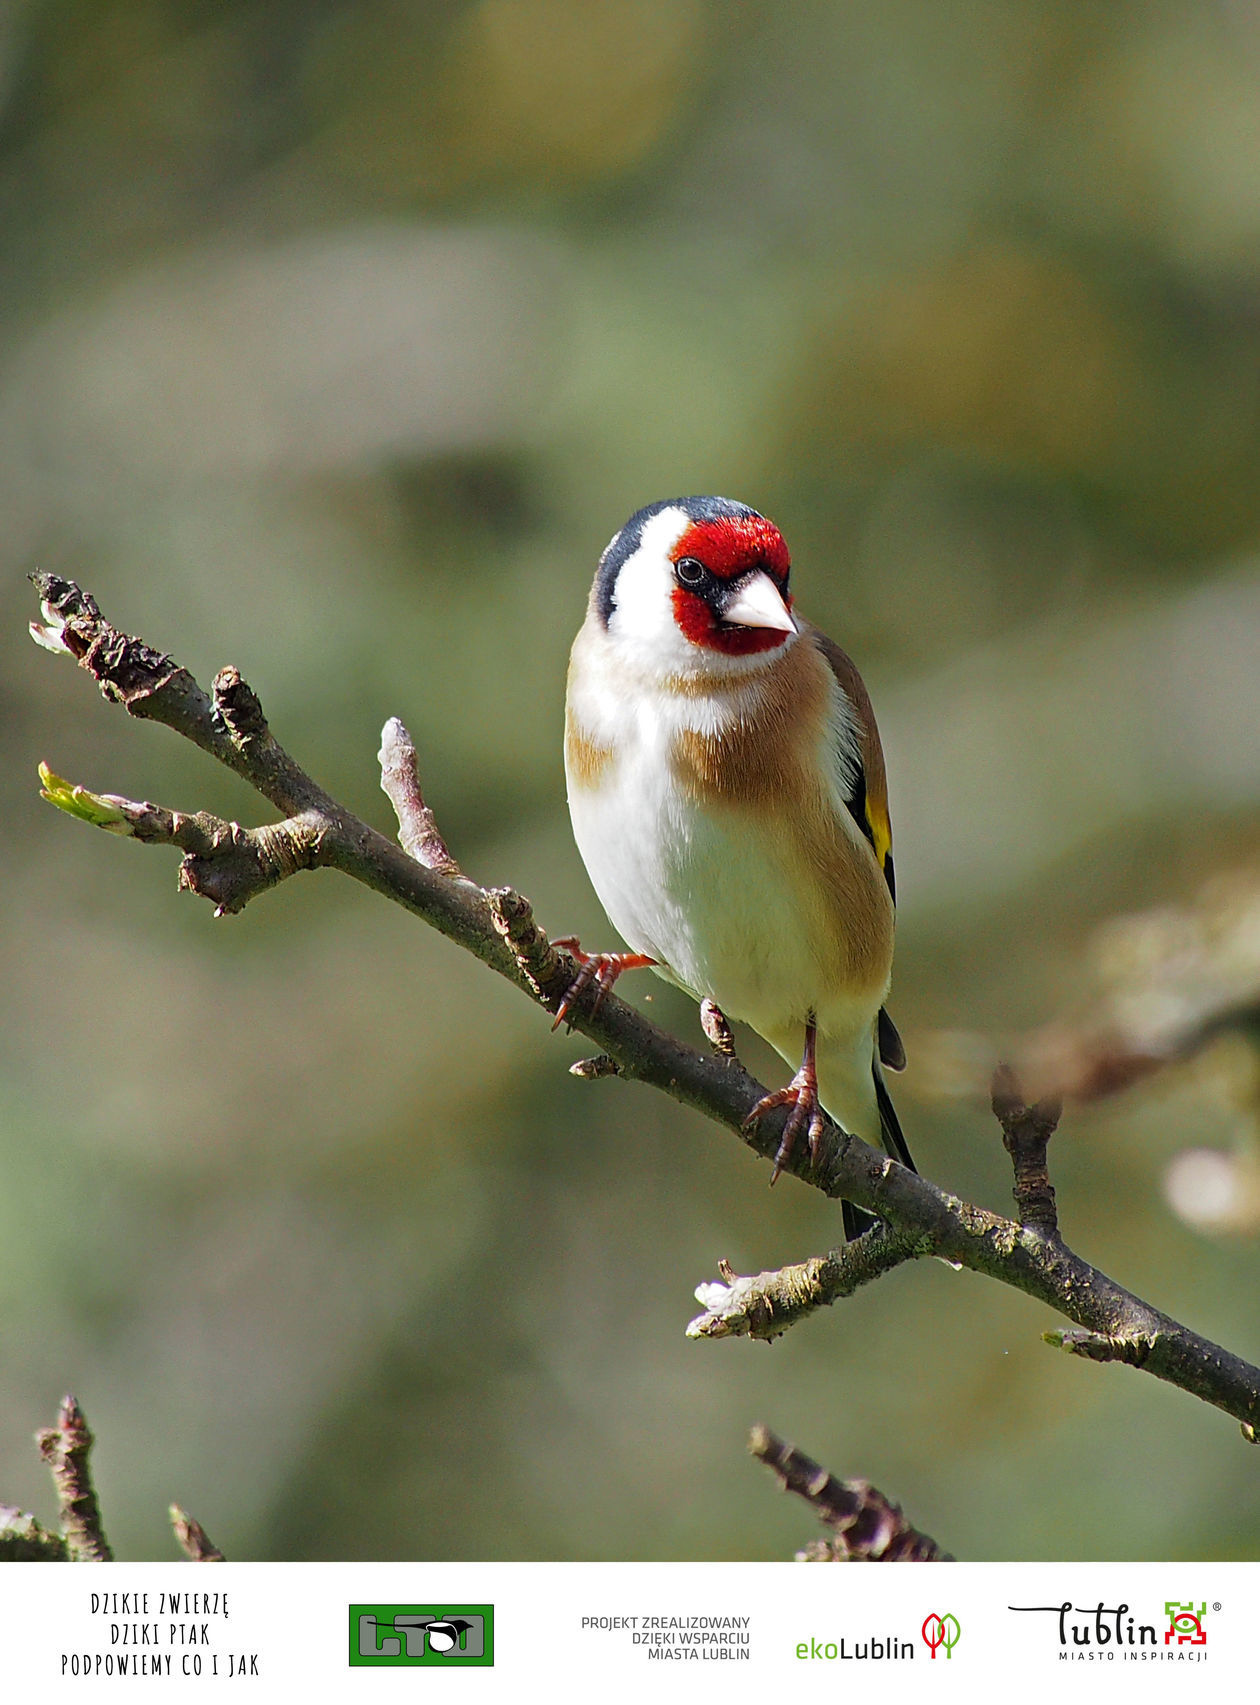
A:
{"x":338,"y":338}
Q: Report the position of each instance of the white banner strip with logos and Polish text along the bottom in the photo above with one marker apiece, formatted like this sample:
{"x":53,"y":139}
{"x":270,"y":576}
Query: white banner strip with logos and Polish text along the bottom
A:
{"x":725,"y":1633}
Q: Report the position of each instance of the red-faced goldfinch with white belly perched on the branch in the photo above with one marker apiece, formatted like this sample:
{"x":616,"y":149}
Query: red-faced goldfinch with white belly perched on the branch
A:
{"x":729,"y":799}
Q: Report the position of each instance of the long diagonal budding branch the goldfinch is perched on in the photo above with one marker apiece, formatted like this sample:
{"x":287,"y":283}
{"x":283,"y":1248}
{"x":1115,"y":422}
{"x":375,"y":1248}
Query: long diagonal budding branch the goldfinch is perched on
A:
{"x":231,"y":865}
